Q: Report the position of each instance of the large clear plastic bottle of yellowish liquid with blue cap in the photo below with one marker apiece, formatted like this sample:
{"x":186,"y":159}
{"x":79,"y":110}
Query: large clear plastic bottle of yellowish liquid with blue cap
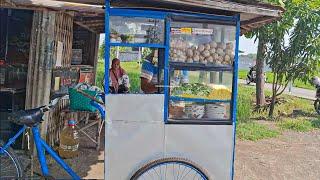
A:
{"x":69,"y":141}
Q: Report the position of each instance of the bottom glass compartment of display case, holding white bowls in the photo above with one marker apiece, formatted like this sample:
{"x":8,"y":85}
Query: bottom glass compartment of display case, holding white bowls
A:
{"x":201,"y":111}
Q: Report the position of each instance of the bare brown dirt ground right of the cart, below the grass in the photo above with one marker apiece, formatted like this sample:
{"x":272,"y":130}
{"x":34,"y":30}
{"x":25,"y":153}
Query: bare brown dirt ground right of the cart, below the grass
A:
{"x":292,"y":156}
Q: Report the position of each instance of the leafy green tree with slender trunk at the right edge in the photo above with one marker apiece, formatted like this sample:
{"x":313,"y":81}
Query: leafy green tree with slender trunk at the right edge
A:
{"x":300,"y":58}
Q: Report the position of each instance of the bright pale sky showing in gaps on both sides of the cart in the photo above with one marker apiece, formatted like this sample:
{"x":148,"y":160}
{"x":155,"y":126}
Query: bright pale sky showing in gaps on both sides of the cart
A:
{"x":246,"y":45}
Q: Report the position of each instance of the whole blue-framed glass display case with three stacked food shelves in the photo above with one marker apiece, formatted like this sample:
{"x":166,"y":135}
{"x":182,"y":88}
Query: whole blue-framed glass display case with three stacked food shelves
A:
{"x":201,"y":61}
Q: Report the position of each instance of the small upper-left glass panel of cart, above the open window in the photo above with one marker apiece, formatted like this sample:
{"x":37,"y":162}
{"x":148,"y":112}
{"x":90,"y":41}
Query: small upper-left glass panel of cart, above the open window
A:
{"x":136,"y":30}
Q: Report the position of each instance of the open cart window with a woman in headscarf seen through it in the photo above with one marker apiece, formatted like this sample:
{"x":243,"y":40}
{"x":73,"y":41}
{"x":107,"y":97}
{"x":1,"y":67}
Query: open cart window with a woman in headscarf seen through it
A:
{"x":140,"y":70}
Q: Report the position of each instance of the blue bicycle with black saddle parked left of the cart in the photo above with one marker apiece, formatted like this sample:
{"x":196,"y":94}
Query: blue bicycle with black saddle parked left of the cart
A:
{"x":10,"y":165}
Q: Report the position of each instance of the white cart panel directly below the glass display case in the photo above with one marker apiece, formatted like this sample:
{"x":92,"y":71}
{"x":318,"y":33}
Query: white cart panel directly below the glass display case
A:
{"x":209,"y":146}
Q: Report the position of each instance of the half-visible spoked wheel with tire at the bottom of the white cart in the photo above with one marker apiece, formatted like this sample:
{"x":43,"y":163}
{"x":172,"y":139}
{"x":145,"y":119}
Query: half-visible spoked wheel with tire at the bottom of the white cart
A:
{"x":170,"y":169}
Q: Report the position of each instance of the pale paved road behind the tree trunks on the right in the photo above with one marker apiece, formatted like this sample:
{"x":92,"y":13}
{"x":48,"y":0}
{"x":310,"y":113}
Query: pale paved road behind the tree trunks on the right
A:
{"x":298,"y":92}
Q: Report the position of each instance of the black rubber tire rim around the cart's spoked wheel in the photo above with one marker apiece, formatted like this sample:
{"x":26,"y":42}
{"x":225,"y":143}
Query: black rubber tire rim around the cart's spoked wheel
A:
{"x":155,"y":163}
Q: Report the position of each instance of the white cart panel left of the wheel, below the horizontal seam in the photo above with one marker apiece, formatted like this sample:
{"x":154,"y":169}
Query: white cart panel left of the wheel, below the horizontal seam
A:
{"x":130,"y":146}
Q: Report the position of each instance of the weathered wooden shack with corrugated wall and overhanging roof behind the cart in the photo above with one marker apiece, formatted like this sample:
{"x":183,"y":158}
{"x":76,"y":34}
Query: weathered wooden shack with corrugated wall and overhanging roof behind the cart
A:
{"x":48,"y":42}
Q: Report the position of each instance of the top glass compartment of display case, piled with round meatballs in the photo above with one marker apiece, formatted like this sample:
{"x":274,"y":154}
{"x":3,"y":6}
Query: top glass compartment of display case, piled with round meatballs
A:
{"x":202,"y":43}
